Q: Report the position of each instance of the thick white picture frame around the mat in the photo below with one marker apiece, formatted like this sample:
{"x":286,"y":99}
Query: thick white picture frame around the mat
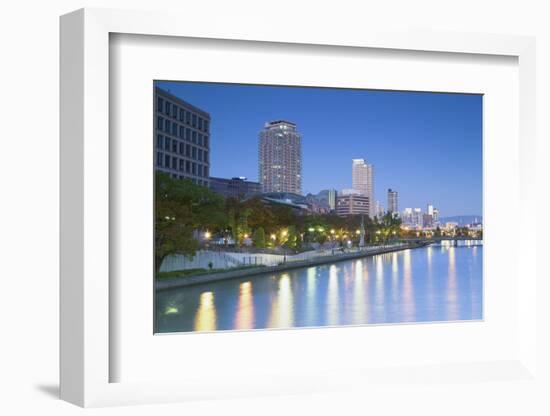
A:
{"x":86,"y":327}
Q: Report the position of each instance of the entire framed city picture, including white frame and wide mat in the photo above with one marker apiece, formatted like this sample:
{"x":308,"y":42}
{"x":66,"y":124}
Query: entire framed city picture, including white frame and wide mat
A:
{"x":281,"y":213}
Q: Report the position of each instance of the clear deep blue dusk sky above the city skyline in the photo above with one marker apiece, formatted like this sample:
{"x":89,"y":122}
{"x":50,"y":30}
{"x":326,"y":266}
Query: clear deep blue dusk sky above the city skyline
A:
{"x":426,"y":146}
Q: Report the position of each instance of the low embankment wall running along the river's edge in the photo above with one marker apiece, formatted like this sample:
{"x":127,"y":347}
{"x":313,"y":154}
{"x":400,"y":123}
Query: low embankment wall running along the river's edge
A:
{"x":257,"y":271}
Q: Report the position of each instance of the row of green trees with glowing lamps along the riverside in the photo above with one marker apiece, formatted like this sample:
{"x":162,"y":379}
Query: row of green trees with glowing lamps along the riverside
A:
{"x":182,"y":209}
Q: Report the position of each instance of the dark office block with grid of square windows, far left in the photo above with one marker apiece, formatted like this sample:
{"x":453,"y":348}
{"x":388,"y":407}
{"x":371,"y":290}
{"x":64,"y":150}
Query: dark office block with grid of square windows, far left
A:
{"x":182,"y":134}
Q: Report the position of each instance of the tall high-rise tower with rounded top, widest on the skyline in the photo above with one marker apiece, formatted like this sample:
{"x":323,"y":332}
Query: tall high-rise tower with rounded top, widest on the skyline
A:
{"x":280,"y":157}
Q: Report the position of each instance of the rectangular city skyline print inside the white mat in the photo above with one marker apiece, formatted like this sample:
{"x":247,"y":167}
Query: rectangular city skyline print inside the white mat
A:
{"x":308,"y":242}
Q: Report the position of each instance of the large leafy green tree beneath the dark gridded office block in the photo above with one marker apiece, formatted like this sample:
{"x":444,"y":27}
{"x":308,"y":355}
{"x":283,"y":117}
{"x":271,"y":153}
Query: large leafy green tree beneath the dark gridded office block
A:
{"x":181,"y":208}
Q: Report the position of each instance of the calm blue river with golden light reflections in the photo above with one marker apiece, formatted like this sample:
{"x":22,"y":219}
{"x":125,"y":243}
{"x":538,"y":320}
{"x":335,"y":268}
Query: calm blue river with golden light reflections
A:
{"x":434,"y":283}
